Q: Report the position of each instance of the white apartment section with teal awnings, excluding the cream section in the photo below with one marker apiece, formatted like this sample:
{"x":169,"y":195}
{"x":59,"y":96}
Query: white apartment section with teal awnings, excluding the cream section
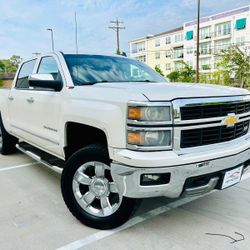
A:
{"x":217,"y":32}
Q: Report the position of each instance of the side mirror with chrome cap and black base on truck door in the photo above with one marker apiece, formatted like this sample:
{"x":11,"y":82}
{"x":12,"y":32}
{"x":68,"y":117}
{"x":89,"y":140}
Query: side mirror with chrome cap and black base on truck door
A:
{"x":45,"y":81}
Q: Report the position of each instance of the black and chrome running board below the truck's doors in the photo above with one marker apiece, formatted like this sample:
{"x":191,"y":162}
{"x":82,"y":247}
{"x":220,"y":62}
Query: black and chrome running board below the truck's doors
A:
{"x":41,"y":157}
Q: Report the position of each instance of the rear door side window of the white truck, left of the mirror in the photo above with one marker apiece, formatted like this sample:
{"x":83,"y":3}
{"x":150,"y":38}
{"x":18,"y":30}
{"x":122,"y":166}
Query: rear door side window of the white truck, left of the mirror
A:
{"x":26,"y":70}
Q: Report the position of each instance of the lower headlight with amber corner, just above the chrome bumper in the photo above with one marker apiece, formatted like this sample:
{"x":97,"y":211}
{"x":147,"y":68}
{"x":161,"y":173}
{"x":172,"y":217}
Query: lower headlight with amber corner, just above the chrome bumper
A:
{"x":150,"y":138}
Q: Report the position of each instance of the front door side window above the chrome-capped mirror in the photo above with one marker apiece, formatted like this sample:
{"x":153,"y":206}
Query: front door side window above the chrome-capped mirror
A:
{"x":48,"y":65}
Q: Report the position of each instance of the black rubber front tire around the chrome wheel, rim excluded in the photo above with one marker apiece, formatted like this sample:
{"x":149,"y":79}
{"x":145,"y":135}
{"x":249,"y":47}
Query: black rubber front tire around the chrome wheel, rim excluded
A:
{"x":99,"y":153}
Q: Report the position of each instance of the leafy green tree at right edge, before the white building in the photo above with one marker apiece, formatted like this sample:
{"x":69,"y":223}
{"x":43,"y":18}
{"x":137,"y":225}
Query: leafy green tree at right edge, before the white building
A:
{"x":236,"y":63}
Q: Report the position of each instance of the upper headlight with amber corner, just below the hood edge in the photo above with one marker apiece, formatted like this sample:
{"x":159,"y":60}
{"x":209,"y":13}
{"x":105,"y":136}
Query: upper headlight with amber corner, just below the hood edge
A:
{"x":149,"y":114}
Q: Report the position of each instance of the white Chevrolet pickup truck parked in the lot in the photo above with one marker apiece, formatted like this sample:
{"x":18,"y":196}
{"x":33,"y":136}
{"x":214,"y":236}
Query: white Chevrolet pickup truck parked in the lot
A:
{"x":118,"y":131}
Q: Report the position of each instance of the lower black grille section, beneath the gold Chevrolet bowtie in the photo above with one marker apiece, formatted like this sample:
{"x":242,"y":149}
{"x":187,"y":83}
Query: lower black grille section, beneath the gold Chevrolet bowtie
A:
{"x":211,"y":135}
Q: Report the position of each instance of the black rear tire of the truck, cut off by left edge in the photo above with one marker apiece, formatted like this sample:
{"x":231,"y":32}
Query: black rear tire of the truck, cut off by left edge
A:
{"x":8,"y":141}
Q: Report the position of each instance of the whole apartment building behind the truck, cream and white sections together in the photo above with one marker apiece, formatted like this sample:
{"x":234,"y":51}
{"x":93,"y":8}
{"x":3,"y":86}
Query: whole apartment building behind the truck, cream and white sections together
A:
{"x":167,"y":50}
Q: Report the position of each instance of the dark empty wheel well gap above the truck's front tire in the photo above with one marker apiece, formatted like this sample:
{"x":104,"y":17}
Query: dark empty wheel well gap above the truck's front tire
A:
{"x":80,"y":135}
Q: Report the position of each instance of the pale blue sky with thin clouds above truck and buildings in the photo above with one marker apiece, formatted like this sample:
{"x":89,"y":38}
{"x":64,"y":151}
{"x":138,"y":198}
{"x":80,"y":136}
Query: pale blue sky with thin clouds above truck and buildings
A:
{"x":23,"y":23}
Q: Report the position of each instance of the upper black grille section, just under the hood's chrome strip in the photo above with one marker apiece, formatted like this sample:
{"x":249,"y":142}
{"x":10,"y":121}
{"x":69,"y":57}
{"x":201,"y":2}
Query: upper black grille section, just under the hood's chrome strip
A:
{"x":213,"y":110}
